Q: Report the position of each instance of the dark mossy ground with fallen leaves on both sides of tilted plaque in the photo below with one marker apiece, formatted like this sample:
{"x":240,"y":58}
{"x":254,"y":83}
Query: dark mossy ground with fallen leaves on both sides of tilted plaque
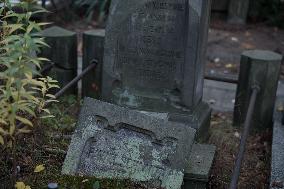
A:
{"x":48,"y":145}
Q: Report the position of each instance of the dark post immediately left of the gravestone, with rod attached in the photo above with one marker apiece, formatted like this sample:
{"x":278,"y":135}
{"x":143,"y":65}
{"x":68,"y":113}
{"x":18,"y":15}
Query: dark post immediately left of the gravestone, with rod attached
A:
{"x":93,"y":48}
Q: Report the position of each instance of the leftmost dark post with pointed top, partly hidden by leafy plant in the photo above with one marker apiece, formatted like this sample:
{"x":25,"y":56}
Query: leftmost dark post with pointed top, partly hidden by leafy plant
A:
{"x":62,"y":52}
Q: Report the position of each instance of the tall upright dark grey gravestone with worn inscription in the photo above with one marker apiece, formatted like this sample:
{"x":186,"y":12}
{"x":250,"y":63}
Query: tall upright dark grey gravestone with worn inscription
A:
{"x":154,"y":57}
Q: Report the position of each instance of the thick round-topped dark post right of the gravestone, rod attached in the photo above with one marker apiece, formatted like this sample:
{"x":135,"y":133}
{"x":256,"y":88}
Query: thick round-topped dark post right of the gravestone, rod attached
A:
{"x":258,"y":68}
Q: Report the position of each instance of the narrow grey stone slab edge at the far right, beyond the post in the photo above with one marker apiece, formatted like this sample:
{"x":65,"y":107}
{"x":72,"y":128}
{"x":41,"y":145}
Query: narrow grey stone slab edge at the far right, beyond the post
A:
{"x":277,"y":160}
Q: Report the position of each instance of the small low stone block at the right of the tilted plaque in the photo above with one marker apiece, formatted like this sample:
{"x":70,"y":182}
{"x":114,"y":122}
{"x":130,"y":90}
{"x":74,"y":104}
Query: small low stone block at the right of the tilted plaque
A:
{"x":198,"y":170}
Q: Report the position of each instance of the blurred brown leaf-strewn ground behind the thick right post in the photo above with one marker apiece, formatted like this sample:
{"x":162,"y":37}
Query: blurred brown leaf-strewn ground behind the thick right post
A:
{"x":226,"y":44}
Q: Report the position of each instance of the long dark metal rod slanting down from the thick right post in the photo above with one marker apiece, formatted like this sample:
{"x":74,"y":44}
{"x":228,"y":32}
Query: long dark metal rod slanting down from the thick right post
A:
{"x":238,"y":164}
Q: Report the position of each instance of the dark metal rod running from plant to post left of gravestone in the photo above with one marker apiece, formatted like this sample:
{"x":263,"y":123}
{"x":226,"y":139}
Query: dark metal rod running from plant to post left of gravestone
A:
{"x":76,"y":79}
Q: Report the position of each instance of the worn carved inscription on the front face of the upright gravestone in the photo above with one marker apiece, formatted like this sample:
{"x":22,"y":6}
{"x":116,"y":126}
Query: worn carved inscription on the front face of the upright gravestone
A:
{"x":150,"y":50}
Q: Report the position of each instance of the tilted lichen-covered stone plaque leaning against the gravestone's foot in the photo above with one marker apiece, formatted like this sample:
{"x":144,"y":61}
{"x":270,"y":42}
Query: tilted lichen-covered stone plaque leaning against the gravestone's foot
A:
{"x":119,"y":143}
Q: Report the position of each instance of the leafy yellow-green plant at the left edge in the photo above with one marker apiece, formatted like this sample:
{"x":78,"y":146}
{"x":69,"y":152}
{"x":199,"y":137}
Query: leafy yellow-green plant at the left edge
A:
{"x":23,"y":92}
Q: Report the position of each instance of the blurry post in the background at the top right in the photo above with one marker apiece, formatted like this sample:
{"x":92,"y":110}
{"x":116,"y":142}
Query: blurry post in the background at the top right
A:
{"x":238,"y":11}
